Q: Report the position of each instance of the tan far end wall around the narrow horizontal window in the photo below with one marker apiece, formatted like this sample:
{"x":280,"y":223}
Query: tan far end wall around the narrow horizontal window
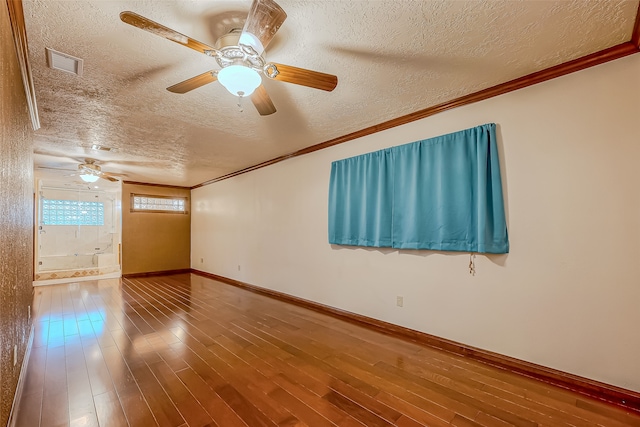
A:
{"x":152,"y":241}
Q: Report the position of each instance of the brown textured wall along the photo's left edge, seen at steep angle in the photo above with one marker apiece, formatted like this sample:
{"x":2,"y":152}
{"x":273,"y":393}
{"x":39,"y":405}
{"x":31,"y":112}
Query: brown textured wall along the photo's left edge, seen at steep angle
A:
{"x":16,"y":217}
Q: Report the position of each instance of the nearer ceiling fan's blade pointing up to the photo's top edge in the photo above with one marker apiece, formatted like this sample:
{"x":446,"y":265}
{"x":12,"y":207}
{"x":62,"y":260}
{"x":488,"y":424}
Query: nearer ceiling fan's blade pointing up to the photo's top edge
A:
{"x":263,"y":21}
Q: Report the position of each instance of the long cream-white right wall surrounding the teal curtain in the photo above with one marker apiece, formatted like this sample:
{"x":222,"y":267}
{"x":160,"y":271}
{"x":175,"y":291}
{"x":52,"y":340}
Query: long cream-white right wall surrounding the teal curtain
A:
{"x":568,"y":294}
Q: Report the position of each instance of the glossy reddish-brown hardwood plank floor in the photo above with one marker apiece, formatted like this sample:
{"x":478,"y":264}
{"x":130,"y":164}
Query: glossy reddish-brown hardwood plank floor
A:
{"x":184,"y":350}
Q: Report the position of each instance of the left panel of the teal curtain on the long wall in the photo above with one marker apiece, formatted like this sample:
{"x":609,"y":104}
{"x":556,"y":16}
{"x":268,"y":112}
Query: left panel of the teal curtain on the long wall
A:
{"x":361,"y":200}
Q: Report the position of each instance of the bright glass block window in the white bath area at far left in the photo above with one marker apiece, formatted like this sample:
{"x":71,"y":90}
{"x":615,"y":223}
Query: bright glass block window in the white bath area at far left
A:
{"x":72,"y":212}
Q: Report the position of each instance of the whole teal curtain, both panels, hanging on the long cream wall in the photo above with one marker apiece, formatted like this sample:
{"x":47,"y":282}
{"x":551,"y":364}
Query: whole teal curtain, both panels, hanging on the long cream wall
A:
{"x":443,"y":193}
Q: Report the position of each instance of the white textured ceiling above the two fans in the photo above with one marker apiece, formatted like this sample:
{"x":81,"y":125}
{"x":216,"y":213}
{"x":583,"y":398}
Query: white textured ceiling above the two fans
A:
{"x":392,"y":58}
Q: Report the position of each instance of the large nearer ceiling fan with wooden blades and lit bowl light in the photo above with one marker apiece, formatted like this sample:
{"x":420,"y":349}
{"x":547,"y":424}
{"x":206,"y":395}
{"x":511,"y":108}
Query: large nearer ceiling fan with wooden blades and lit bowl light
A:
{"x":240,"y":57}
